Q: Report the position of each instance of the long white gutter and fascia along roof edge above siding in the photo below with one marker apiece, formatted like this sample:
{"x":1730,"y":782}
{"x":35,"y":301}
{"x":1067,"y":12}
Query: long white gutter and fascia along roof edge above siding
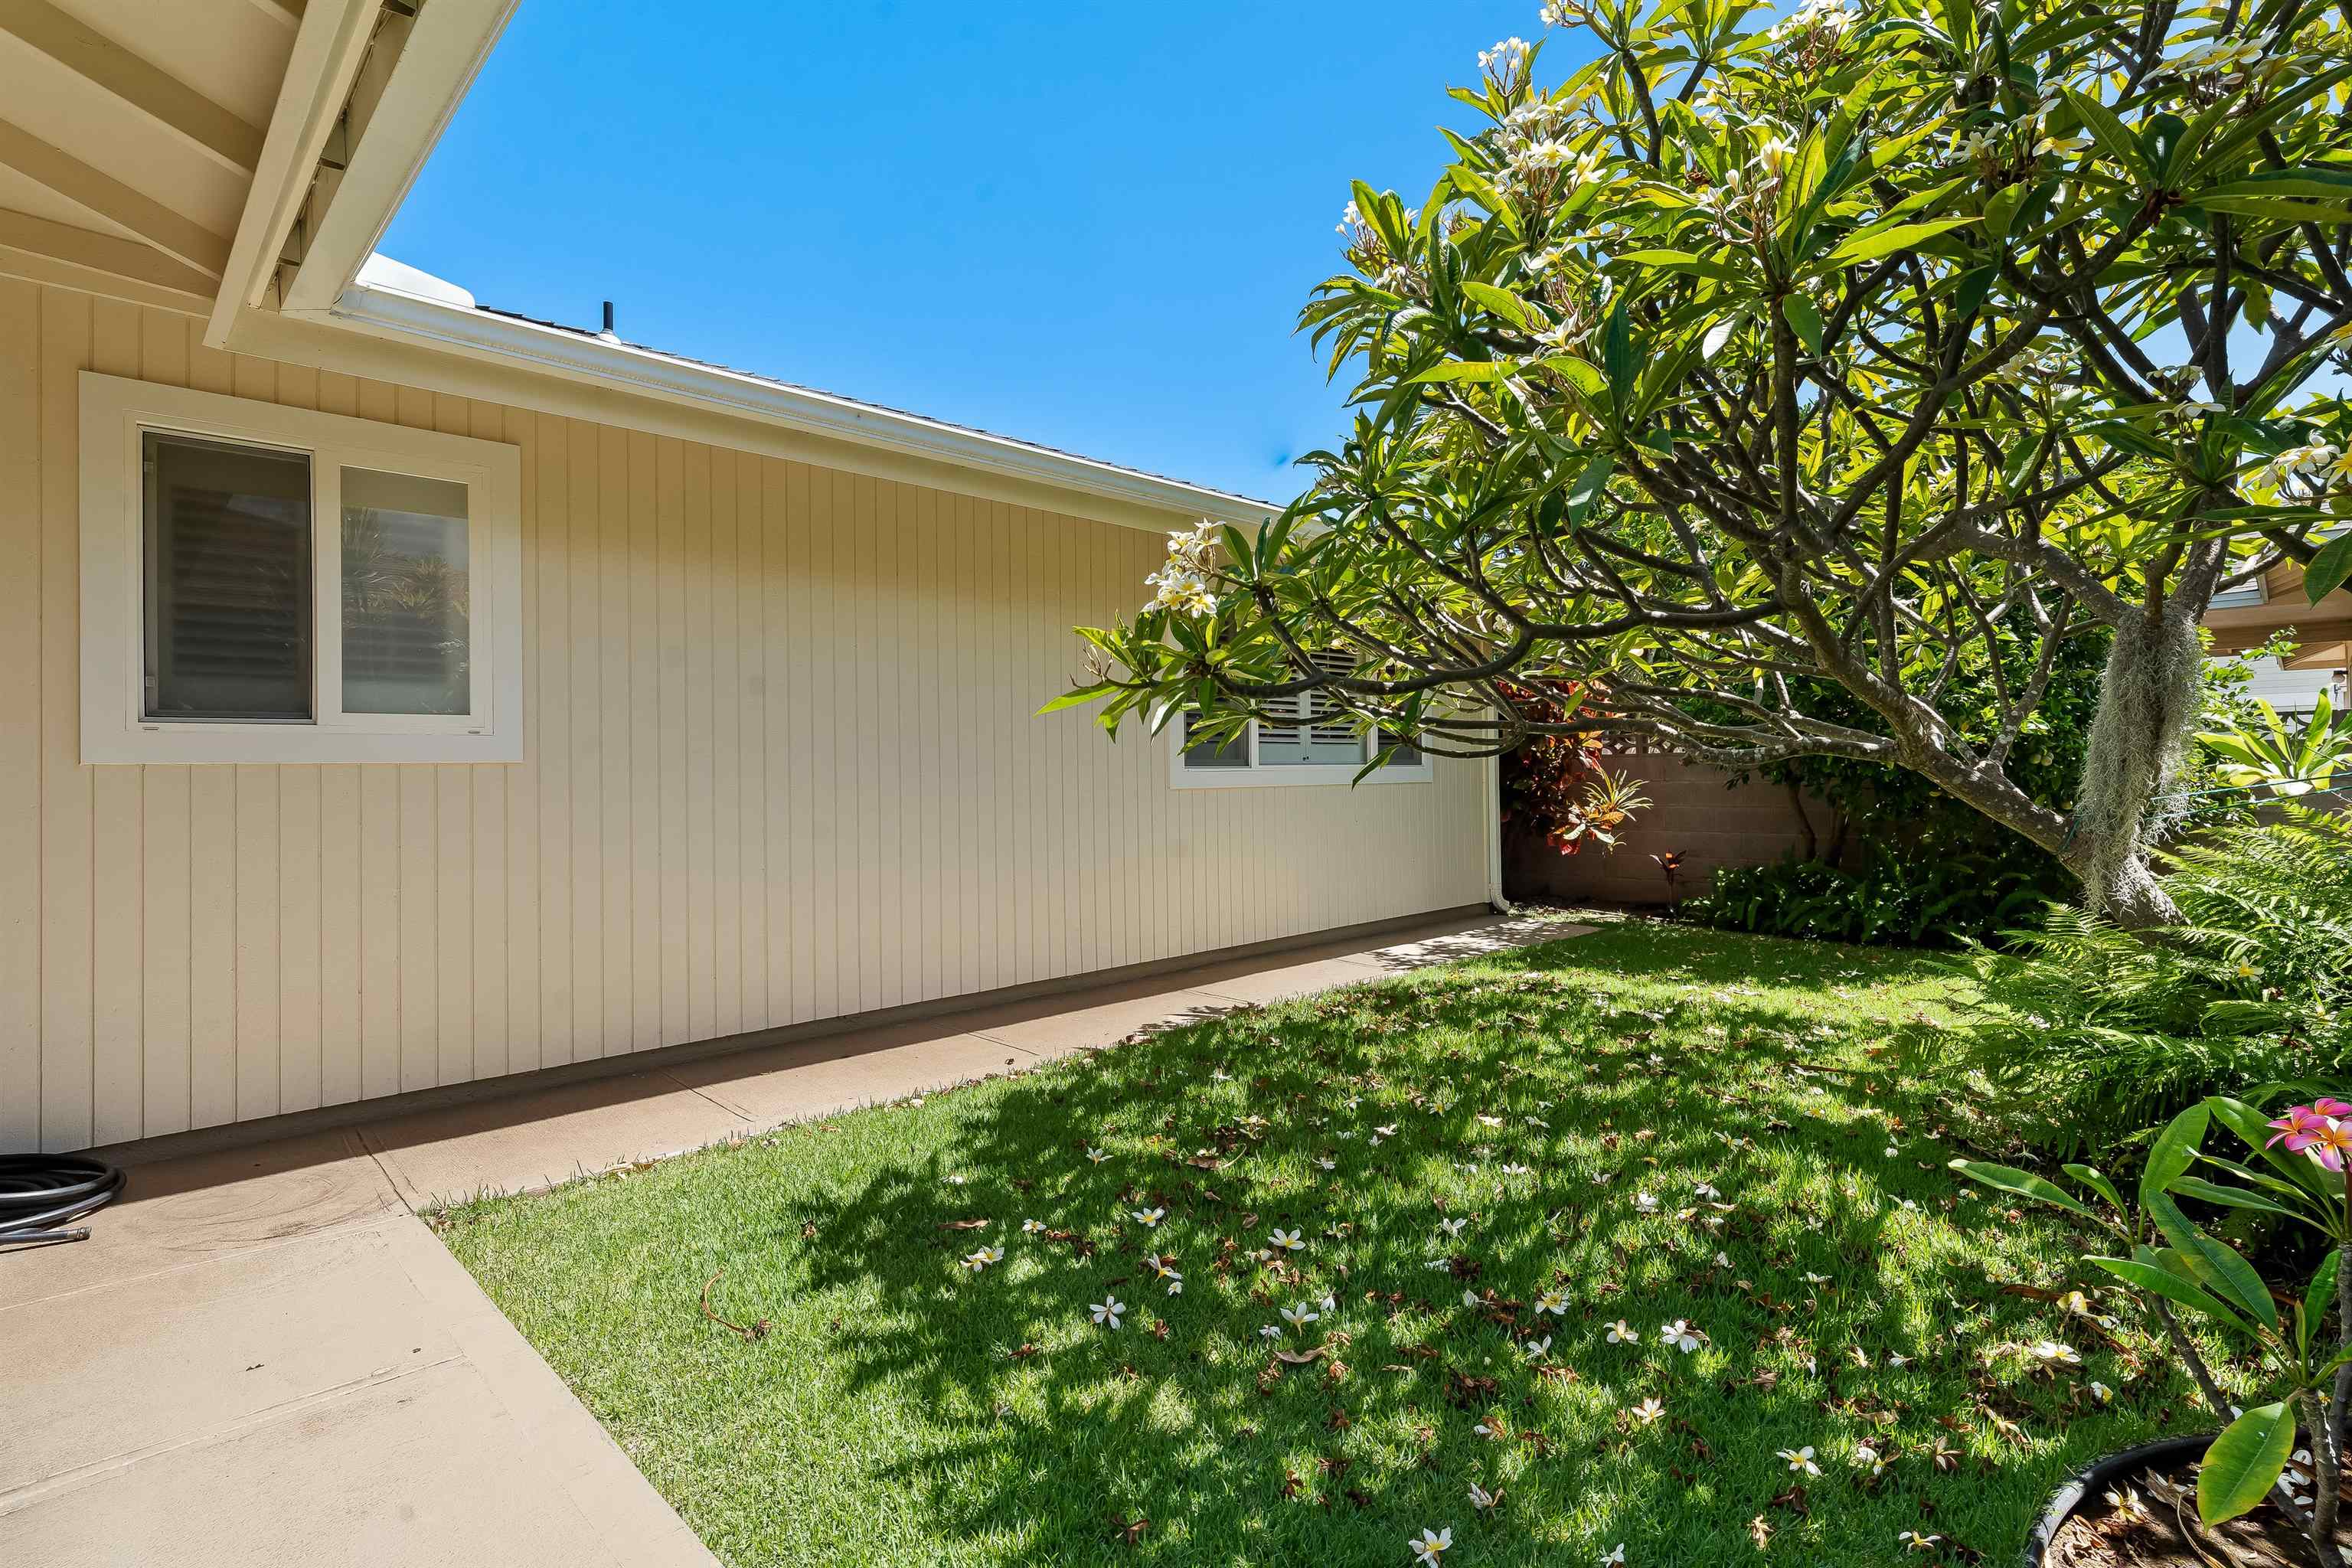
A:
{"x":422,"y":321}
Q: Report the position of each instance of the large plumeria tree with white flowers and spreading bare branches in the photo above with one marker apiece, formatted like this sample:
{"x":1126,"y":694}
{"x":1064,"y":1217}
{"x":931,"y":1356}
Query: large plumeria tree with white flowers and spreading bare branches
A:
{"x":1876,"y":351}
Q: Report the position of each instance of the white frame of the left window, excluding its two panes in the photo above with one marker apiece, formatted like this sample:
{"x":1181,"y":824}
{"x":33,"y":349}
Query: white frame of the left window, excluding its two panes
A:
{"x":121,"y":413}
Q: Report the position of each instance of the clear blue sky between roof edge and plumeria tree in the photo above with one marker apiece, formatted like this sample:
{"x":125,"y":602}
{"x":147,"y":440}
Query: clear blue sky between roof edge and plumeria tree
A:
{"x":1081,"y":225}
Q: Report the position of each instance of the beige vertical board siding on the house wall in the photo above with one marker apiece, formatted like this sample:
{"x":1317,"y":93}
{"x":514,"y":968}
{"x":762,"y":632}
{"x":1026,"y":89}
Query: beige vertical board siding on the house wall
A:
{"x":780,"y":765}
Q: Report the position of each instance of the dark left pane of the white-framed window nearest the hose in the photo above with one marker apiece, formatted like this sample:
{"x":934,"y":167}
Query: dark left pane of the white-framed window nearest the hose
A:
{"x":227,"y":582}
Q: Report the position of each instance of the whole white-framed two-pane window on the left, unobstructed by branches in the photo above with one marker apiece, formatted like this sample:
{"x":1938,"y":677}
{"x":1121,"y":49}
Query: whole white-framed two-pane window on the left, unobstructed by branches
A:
{"x":274,"y":584}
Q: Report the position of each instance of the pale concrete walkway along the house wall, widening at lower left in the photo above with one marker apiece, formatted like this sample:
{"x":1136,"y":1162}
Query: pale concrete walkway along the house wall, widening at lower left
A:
{"x":265,"y":1358}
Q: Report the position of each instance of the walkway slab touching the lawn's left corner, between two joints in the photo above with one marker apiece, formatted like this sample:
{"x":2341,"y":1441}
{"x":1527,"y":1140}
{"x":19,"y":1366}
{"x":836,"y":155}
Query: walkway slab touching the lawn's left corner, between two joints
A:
{"x":547,"y":1137}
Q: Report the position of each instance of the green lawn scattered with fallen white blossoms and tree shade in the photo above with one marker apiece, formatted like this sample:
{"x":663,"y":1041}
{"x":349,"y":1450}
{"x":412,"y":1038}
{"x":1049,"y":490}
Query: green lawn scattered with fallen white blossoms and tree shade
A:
{"x":1572,"y":1113}
